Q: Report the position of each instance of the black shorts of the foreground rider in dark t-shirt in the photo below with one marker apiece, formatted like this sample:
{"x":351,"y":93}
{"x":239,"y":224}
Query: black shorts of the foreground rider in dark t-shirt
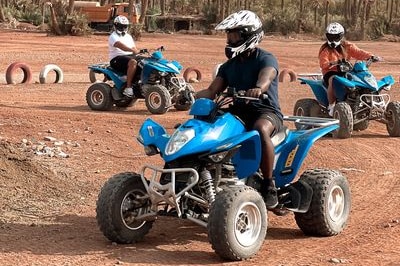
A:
{"x":251,"y":112}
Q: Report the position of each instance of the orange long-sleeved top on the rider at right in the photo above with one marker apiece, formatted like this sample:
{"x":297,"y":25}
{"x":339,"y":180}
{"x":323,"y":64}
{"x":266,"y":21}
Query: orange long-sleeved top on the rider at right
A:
{"x":328,"y":55}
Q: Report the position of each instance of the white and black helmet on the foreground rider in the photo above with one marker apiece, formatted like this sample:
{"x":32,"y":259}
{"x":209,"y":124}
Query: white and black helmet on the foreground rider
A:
{"x":250,"y":27}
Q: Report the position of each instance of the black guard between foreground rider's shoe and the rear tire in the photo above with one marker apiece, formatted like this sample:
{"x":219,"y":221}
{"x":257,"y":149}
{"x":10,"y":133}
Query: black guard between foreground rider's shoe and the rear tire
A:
{"x":297,"y":196}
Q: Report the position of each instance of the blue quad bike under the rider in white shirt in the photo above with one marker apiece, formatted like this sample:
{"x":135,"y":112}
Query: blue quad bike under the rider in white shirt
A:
{"x":155,"y":81}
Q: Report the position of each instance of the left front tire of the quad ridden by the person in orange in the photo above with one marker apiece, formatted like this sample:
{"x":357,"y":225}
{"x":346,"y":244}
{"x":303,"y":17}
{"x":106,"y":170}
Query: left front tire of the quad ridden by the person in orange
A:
{"x":342,"y":112}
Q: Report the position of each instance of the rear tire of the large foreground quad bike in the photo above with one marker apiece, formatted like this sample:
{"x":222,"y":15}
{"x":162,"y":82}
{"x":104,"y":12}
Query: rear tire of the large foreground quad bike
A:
{"x":330,"y":205}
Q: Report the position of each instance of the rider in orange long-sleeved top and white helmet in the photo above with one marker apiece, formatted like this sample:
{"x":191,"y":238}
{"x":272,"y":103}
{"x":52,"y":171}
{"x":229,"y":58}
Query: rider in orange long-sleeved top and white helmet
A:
{"x":333,"y":51}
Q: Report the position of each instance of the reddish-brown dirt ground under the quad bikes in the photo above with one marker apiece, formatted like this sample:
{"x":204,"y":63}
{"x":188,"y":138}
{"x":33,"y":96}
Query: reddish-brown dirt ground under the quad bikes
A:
{"x":47,"y":203}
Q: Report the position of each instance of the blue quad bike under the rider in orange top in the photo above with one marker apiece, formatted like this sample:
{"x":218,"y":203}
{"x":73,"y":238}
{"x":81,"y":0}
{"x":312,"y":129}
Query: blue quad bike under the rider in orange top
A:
{"x":359,"y":100}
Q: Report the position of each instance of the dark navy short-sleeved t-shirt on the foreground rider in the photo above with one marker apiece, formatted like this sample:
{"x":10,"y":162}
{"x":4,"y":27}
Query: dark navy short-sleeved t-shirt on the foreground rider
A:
{"x":243,"y":75}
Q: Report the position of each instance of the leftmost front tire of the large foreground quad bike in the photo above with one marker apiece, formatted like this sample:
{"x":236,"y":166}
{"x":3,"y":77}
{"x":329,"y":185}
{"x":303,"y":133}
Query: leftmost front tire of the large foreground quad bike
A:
{"x":120,"y":200}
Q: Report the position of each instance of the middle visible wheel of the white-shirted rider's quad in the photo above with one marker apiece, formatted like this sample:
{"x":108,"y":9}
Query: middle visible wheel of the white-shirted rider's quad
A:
{"x":157,"y":99}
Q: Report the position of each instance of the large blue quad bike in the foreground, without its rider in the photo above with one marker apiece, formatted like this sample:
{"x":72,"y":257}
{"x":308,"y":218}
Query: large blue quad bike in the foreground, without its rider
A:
{"x":211,"y":177}
